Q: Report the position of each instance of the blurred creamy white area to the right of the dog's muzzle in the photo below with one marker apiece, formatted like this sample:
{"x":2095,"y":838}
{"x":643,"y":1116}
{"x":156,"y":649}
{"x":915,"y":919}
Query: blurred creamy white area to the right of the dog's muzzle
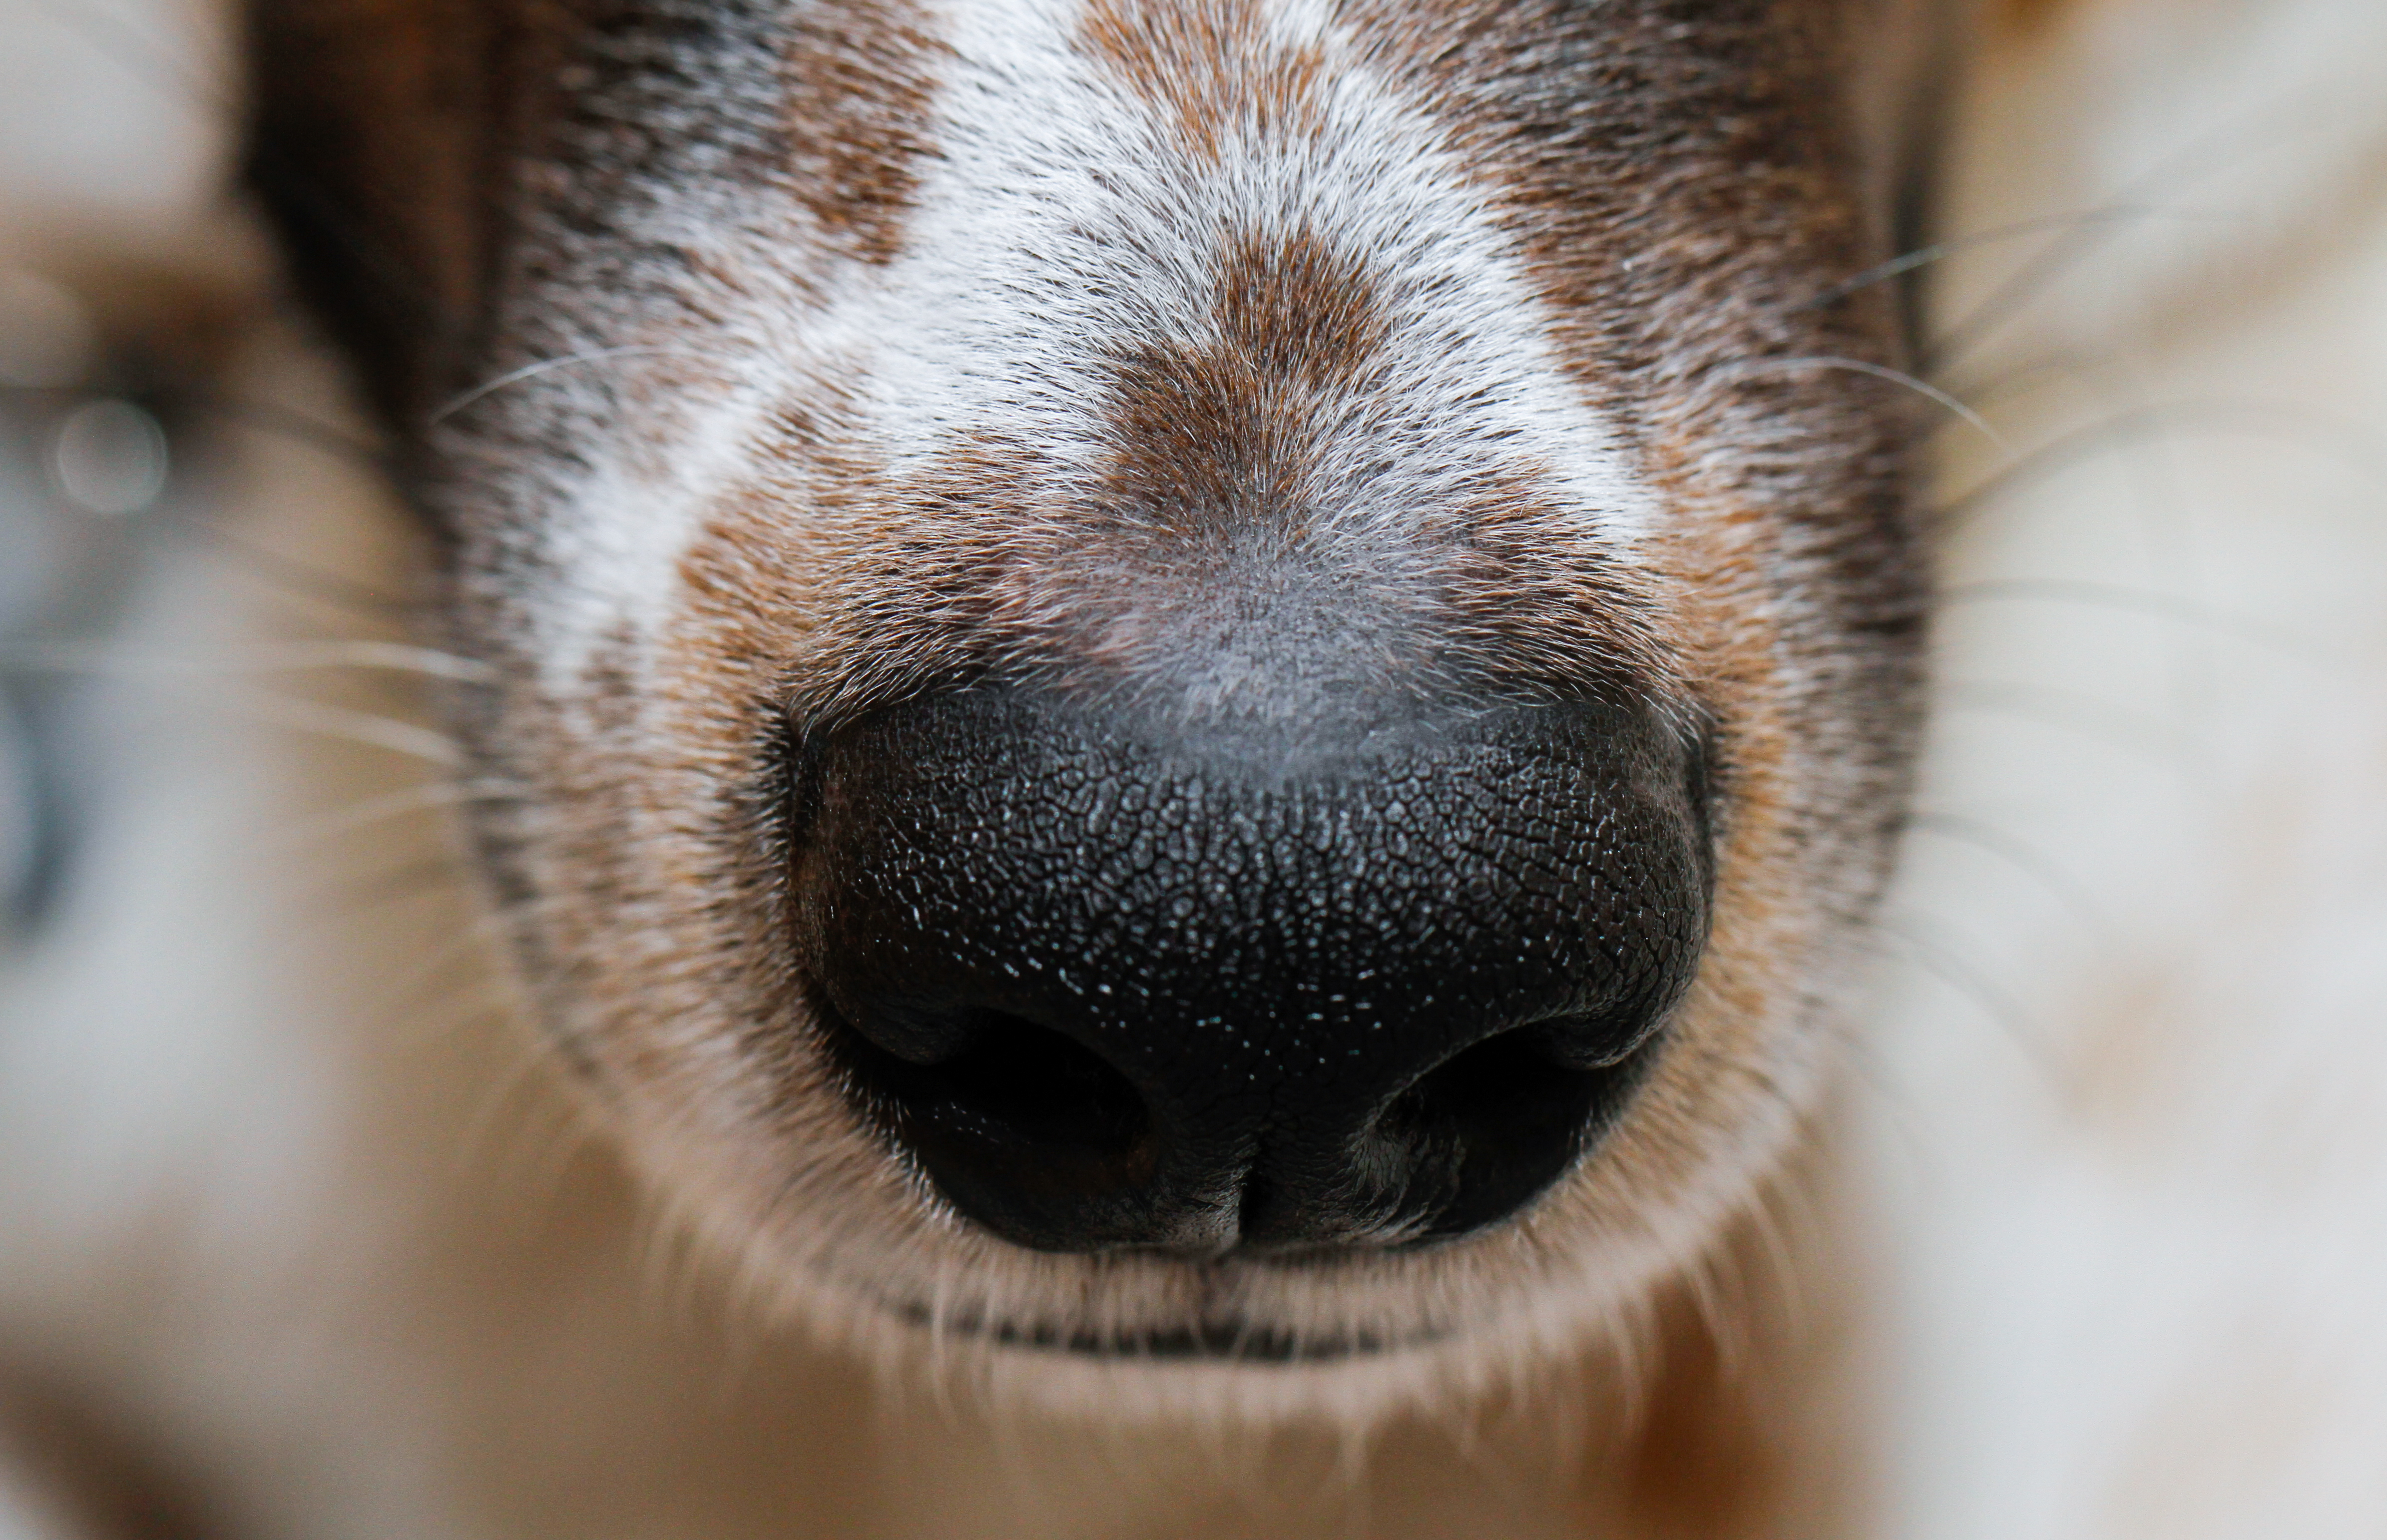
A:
{"x":2133,"y":1040}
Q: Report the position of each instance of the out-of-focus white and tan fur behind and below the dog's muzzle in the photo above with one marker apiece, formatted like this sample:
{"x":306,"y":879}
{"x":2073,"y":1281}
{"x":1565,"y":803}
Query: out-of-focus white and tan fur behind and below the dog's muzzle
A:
{"x":292,"y":1224}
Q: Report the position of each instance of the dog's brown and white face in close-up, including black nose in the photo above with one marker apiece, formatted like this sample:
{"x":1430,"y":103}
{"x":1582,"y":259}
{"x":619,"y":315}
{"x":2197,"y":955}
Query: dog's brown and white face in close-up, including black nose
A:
{"x":1197,"y":679}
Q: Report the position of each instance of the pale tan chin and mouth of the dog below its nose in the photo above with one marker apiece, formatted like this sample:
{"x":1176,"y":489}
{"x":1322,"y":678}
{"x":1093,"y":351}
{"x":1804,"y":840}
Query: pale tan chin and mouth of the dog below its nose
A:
{"x":942,"y":1307}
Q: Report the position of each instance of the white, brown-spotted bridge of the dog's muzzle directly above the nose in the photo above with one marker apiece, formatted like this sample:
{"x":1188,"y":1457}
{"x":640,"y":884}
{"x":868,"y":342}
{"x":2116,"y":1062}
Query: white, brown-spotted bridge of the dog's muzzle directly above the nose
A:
{"x":1288,"y":400}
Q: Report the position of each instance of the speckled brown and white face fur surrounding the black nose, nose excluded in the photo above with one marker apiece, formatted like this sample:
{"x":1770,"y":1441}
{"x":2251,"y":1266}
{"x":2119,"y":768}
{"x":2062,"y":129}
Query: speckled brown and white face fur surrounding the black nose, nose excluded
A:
{"x":794,"y":362}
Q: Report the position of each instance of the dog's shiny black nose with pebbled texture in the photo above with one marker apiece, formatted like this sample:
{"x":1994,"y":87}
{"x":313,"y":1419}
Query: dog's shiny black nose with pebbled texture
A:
{"x":1140,"y":985}
